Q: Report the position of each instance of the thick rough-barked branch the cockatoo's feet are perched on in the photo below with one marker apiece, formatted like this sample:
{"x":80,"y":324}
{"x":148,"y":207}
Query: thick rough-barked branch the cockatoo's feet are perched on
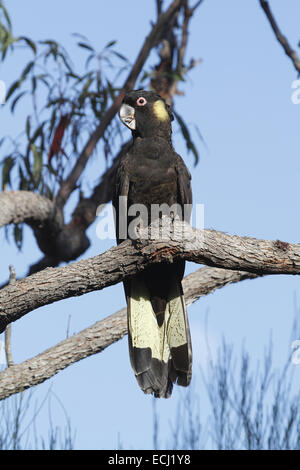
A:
{"x":200,"y":246}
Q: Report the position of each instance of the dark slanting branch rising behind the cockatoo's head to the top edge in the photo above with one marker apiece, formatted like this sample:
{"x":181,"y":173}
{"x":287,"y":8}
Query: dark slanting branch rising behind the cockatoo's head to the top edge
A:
{"x":151,"y":41}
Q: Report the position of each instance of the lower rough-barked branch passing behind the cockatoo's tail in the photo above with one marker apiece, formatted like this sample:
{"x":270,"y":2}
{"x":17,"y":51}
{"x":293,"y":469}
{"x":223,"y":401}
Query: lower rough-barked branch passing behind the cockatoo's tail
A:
{"x":101,"y":335}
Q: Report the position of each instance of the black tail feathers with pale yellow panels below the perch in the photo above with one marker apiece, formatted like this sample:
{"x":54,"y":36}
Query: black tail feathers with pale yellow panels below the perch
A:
{"x":159,"y":341}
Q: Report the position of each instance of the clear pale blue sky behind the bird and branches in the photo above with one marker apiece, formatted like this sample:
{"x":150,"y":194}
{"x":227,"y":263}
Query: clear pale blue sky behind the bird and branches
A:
{"x":247,"y":178}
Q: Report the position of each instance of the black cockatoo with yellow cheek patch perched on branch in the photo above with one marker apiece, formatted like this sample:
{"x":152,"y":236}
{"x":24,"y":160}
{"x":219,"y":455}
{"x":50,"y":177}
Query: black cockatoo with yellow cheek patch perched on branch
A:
{"x":153,"y":174}
